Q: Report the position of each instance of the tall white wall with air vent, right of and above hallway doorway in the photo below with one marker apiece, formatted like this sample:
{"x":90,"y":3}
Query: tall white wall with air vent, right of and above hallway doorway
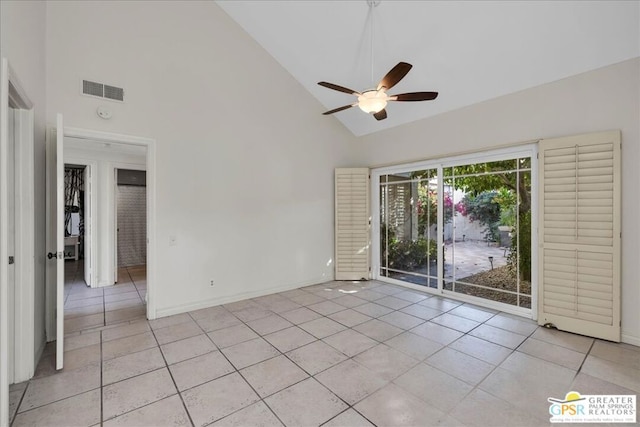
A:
{"x":244,"y":158}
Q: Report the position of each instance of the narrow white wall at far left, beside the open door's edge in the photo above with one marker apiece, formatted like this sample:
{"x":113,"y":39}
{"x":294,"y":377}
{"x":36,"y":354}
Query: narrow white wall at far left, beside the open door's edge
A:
{"x":22,"y":42}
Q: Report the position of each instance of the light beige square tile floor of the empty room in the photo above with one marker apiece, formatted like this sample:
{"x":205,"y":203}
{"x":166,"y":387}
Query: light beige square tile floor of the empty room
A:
{"x":334,"y":354}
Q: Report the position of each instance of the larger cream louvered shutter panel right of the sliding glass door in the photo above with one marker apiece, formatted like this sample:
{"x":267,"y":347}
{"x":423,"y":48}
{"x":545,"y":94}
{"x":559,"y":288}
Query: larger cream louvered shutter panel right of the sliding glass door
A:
{"x":579,"y":231}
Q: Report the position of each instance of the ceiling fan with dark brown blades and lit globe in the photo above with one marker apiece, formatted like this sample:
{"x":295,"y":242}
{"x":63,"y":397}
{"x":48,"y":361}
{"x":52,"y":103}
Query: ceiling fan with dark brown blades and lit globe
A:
{"x":375,"y":100}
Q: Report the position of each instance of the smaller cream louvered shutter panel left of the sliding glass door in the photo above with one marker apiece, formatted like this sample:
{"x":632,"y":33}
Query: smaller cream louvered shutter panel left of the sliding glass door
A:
{"x":352,"y":224}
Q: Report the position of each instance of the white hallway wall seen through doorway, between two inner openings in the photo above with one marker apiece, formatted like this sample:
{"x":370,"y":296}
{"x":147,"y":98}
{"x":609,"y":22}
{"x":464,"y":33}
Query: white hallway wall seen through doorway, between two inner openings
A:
{"x":106,"y":160}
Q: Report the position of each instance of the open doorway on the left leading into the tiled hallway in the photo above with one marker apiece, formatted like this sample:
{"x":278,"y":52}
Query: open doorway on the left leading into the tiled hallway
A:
{"x":109,"y":290}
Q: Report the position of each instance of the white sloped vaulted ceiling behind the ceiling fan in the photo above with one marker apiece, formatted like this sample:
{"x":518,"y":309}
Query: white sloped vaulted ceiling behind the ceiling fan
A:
{"x":468,"y":51}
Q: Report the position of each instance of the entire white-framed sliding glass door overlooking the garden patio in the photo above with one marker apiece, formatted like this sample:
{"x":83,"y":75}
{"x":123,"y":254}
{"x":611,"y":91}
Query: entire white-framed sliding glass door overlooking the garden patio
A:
{"x":459,"y":226}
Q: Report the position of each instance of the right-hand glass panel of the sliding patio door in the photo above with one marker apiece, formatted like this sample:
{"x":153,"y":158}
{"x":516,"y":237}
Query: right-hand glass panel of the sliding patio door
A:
{"x":488,"y":250}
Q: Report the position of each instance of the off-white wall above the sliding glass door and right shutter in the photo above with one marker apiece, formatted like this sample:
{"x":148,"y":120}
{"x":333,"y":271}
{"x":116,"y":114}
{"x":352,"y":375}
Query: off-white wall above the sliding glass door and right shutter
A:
{"x":603,"y":99}
